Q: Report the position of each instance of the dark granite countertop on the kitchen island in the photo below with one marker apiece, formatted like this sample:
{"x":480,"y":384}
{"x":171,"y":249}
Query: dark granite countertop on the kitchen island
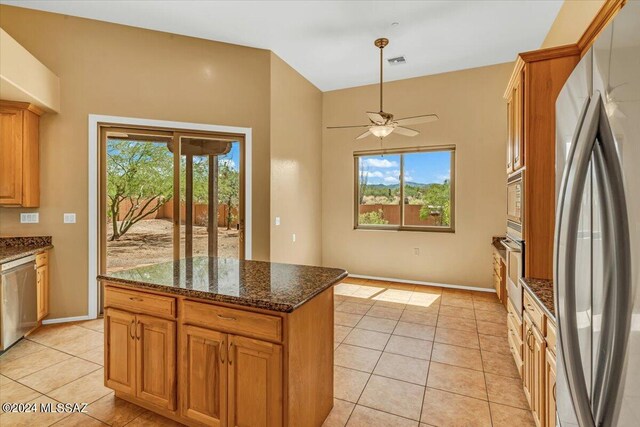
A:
{"x":270,"y":286}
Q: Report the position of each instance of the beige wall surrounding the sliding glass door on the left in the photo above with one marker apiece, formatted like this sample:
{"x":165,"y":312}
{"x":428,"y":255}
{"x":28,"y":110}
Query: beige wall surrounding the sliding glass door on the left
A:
{"x":117,"y":70}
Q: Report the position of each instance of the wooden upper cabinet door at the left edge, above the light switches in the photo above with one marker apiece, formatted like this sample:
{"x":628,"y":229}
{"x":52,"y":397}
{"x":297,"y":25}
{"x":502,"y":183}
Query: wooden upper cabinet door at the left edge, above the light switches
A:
{"x":11,"y":156}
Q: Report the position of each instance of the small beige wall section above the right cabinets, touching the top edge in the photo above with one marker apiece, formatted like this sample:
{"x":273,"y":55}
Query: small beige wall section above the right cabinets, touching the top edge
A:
{"x":573,"y":19}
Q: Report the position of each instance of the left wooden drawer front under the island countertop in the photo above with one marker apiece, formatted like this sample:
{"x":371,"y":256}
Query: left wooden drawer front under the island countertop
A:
{"x":140,"y":302}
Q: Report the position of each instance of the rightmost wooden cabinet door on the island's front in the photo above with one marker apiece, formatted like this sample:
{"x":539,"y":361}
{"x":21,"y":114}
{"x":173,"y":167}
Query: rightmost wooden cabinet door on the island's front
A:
{"x":255,"y":383}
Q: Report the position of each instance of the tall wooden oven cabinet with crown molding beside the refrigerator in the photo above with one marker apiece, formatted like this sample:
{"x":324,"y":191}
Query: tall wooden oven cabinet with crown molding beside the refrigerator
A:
{"x":531,"y":95}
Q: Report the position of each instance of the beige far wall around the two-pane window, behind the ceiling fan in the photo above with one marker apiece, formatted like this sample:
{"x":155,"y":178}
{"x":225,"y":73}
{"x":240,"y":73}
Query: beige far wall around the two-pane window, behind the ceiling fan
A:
{"x":473,"y":117}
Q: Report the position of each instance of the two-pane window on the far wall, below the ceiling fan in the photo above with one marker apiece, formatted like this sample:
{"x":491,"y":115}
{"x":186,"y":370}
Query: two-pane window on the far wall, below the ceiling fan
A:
{"x":405,"y":189}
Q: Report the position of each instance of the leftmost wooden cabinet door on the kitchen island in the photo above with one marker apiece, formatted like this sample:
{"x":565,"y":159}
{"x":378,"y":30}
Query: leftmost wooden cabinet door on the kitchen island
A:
{"x":120,"y":350}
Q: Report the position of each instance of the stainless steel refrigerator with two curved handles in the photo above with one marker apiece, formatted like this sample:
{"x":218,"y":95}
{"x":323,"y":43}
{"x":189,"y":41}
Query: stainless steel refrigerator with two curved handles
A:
{"x":597,"y":242}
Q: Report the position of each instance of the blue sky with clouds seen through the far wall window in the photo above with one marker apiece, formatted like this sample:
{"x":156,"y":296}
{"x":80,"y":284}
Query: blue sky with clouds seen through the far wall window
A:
{"x":424,"y":168}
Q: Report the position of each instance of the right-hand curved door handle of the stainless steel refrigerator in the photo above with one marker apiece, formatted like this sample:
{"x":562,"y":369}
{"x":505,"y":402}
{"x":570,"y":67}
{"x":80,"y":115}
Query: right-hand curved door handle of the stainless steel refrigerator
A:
{"x":618,"y":301}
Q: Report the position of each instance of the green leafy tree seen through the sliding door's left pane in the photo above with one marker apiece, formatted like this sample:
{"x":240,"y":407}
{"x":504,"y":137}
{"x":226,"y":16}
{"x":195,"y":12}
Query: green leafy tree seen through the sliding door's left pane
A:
{"x":140,"y":173}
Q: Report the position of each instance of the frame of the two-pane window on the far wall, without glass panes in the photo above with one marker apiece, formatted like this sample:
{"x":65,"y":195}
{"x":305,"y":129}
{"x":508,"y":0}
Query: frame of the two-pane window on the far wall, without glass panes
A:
{"x":401,"y":152}
